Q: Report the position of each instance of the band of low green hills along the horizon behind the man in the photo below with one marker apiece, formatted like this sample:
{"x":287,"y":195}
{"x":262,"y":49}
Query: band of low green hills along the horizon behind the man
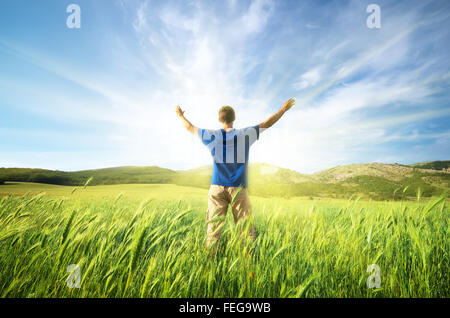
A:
{"x":371,"y":180}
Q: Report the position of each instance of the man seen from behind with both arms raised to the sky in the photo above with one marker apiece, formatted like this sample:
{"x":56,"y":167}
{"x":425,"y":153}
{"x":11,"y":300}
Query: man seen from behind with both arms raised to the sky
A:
{"x":229,"y":148}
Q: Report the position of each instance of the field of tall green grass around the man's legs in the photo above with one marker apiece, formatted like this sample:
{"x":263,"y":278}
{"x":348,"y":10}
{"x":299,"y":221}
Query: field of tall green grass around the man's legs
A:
{"x":148,"y":240}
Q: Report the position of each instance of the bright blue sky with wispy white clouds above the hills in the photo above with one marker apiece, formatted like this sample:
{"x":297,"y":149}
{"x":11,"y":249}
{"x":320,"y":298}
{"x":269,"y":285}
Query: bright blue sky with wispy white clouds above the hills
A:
{"x":104,"y":95}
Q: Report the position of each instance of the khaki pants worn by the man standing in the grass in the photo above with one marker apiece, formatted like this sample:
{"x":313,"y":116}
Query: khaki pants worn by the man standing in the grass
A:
{"x":219,"y":198}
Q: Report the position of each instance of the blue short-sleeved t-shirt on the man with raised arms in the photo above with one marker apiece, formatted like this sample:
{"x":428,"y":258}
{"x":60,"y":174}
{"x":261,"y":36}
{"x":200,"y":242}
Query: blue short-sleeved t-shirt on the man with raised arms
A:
{"x":230,"y":150}
